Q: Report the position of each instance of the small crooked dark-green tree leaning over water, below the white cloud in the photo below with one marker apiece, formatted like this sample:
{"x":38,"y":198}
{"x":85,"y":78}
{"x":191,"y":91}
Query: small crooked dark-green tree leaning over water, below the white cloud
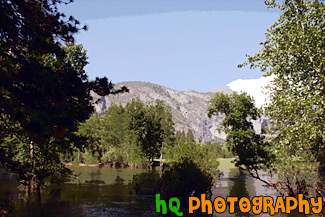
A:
{"x":249,"y":147}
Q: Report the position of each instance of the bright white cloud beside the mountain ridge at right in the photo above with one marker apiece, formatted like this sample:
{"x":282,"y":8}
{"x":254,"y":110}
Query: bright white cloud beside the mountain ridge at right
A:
{"x":254,"y":87}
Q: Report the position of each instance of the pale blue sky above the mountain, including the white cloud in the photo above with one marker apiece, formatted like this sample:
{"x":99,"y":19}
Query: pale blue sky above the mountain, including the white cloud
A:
{"x":180,"y":44}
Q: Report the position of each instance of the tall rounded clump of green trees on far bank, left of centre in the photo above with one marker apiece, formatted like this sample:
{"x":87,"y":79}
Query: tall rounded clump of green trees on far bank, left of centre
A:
{"x":133,"y":134}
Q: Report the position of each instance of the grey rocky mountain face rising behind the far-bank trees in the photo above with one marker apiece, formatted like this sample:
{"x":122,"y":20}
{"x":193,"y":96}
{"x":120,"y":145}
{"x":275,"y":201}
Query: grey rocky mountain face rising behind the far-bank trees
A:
{"x":188,"y":107}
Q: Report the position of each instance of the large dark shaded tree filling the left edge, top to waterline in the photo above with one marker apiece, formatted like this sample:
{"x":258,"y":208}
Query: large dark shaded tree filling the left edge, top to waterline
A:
{"x":44,"y":89}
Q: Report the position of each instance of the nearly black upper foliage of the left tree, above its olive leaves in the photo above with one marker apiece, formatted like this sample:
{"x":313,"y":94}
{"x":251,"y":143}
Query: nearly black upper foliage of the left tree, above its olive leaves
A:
{"x":30,"y":88}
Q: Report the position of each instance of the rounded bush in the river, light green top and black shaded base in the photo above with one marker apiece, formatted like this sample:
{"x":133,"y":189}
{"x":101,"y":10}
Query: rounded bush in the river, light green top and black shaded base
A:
{"x":184,"y":159}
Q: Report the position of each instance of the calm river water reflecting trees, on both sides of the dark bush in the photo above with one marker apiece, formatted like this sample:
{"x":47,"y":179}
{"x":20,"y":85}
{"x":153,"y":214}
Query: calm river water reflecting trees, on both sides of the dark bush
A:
{"x":114,"y":192}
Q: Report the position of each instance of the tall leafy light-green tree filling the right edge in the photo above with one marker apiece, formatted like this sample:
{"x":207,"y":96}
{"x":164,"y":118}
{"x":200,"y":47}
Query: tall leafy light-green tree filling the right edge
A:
{"x":294,"y":55}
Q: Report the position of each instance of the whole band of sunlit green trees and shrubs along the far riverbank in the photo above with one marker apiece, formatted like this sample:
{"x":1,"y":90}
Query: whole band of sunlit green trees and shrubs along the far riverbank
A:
{"x":136,"y":134}
